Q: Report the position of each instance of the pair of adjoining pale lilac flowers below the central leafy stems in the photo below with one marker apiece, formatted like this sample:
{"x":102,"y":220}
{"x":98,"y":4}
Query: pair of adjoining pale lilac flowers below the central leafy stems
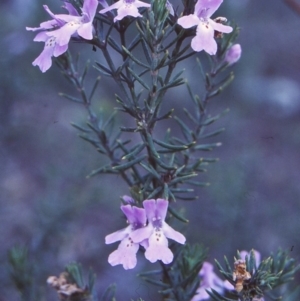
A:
{"x":152,"y":236}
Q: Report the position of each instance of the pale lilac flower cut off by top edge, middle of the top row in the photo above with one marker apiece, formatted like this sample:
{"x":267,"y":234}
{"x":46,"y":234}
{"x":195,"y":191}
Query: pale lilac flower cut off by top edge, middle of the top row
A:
{"x":125,"y":8}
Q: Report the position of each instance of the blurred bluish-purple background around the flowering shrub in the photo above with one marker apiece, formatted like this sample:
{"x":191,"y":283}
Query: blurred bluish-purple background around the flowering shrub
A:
{"x":48,"y":204}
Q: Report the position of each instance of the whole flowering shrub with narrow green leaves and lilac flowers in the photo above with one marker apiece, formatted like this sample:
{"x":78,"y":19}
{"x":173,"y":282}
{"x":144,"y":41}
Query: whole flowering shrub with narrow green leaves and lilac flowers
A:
{"x":158,"y":171}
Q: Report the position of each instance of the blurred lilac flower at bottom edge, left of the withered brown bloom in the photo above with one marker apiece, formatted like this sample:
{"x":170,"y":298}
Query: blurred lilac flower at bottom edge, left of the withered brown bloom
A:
{"x":208,"y":280}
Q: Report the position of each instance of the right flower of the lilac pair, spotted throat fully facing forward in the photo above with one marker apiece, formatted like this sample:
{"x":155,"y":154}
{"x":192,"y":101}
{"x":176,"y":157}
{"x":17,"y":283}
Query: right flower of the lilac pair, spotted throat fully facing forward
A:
{"x":157,"y":231}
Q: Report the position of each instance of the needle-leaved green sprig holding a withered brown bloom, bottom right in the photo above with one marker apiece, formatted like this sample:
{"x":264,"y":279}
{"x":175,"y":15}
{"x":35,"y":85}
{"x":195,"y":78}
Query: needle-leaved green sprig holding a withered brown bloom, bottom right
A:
{"x":264,"y":278}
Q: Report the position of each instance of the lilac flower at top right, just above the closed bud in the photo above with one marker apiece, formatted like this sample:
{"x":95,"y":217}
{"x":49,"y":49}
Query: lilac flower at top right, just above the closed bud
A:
{"x":206,"y":27}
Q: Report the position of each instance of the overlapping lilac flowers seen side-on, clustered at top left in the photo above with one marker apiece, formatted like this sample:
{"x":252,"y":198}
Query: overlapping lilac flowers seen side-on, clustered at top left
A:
{"x":56,"y":33}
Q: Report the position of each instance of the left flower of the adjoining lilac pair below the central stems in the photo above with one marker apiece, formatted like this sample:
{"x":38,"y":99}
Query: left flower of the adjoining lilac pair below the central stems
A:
{"x":127,"y":249}
